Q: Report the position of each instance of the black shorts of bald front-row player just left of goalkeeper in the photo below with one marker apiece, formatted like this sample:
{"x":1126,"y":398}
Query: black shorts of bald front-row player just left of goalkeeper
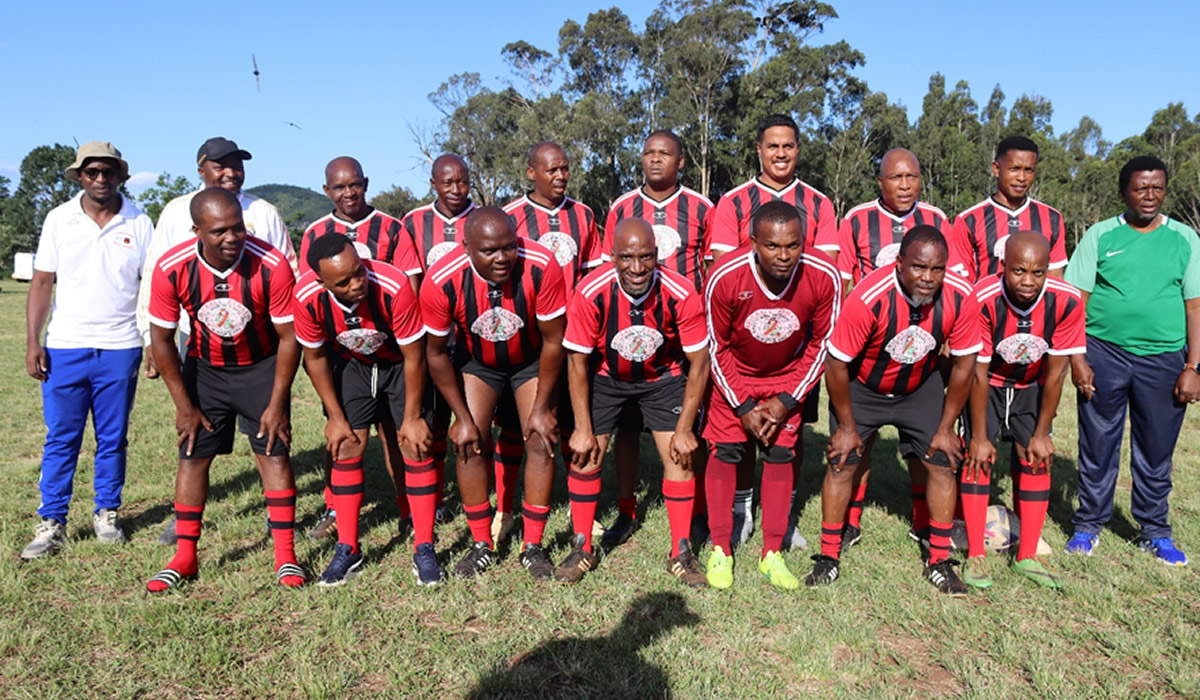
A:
{"x":659,"y":403}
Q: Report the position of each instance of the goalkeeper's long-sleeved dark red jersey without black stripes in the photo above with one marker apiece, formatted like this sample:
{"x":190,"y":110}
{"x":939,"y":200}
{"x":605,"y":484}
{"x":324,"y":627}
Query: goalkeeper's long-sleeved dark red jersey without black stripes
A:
{"x":755,"y":336}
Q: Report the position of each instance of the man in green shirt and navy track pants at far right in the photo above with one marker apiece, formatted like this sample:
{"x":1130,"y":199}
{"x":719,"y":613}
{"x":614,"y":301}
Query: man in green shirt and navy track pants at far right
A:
{"x":1139,"y":274}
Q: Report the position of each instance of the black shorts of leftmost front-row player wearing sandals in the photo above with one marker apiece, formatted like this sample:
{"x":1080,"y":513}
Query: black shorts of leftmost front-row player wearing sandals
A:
{"x":225,"y":394}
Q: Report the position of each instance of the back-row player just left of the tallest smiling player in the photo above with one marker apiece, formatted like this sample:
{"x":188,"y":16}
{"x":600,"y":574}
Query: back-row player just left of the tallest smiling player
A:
{"x":682,"y":223}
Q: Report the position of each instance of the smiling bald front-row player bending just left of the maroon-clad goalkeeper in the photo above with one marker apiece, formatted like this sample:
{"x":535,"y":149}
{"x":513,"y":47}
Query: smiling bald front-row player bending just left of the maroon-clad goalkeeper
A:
{"x":645,"y":320}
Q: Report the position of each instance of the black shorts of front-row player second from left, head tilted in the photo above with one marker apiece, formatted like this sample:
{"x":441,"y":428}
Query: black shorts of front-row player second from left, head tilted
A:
{"x":373,"y":394}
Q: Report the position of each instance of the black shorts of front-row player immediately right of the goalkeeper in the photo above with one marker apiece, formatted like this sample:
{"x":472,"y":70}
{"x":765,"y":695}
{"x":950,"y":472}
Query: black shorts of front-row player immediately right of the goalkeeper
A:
{"x":916,"y":416}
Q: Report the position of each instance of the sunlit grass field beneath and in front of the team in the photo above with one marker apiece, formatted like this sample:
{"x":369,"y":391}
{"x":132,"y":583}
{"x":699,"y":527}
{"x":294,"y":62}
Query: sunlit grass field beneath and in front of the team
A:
{"x":79,"y":625}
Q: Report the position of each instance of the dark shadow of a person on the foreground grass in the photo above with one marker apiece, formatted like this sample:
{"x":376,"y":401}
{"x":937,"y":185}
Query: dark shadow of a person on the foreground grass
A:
{"x":596,"y":667}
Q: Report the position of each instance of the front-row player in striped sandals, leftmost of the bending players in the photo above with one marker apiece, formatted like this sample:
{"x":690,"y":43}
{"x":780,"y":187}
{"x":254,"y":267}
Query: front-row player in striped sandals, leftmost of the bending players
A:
{"x":242,"y":358}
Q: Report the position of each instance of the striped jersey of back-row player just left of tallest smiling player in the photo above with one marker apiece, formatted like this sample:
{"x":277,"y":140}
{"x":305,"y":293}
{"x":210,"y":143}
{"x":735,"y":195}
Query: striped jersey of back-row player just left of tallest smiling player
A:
{"x":682,"y":224}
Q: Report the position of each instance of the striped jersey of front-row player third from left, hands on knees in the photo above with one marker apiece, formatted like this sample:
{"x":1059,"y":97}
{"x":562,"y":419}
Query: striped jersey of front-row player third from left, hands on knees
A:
{"x":494,"y":322}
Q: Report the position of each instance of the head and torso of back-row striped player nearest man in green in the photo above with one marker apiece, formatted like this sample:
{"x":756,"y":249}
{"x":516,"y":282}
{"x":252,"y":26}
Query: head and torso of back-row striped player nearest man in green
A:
{"x":977,"y":240}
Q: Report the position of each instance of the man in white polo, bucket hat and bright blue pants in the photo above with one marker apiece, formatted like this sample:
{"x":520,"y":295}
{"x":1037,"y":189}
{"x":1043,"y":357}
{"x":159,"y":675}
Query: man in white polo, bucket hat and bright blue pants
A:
{"x":93,"y":249}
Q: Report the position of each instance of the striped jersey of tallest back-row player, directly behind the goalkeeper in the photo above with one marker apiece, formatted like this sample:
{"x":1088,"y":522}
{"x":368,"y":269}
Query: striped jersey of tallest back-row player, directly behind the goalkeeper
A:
{"x":731,"y":223}
